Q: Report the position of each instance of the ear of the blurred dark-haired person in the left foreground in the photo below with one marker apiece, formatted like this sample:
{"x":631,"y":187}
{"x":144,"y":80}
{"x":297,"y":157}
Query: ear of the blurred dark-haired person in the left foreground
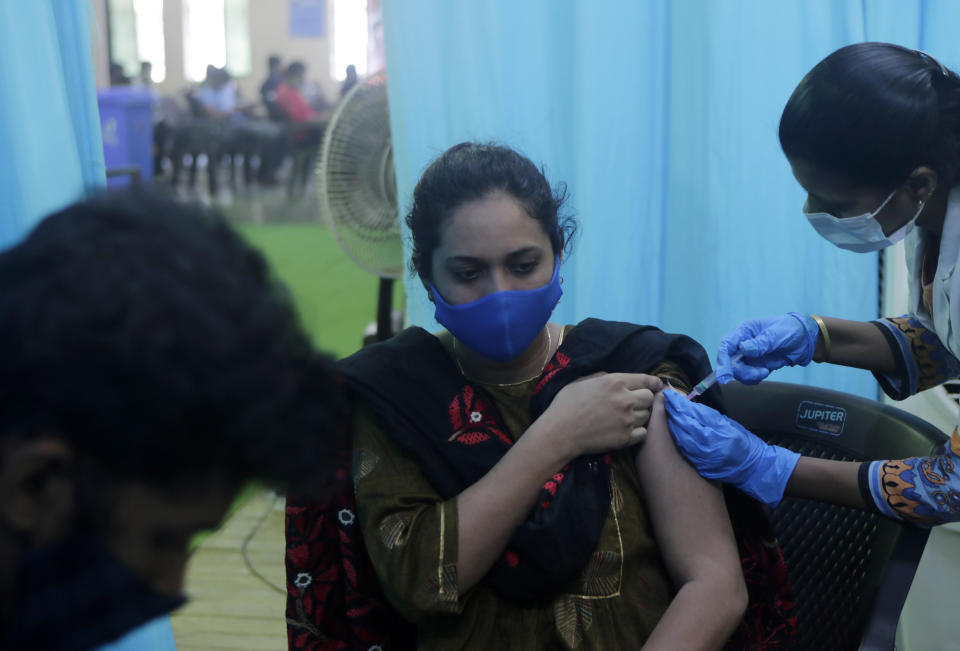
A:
{"x":37,"y":490}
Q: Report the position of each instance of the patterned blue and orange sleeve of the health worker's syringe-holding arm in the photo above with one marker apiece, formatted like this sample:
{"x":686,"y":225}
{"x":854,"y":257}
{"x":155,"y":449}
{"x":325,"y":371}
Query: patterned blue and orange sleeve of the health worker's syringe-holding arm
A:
{"x":922,"y":361}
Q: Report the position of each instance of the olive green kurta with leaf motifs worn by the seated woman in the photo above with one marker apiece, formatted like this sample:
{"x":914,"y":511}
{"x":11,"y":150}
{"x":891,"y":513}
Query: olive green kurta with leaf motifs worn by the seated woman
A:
{"x":411,"y":536}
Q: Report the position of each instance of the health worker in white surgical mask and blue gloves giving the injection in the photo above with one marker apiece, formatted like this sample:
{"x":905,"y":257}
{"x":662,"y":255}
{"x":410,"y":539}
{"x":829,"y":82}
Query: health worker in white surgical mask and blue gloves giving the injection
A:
{"x":872,"y":133}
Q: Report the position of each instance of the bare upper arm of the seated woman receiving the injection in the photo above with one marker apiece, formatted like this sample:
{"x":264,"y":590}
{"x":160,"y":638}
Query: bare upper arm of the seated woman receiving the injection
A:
{"x":688,"y":513}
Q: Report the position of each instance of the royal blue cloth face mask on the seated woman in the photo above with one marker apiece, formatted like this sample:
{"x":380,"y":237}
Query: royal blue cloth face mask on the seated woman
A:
{"x":501,"y":325}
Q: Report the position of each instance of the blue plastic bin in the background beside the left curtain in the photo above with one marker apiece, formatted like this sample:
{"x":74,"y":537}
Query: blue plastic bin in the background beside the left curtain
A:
{"x":126,"y":123}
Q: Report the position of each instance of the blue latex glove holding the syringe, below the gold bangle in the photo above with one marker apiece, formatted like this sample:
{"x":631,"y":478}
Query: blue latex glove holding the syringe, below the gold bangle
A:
{"x":766,"y":345}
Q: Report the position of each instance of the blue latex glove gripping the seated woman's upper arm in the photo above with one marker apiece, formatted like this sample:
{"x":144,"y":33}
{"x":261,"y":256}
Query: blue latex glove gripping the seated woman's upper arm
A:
{"x":720,"y":448}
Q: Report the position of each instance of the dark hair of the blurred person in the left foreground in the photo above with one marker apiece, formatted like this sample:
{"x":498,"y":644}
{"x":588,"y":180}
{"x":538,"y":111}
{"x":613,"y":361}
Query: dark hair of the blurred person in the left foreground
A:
{"x":153,"y":339}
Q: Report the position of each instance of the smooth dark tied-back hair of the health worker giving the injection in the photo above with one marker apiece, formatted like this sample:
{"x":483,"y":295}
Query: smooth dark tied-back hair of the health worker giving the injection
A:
{"x":873,"y":112}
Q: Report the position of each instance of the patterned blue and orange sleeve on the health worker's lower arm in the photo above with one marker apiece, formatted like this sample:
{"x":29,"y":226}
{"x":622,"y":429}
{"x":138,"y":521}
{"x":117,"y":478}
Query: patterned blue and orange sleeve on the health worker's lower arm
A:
{"x":921,"y":490}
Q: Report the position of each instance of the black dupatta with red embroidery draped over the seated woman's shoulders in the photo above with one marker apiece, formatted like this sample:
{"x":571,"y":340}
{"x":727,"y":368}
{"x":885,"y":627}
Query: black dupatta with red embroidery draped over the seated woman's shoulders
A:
{"x":452,"y":428}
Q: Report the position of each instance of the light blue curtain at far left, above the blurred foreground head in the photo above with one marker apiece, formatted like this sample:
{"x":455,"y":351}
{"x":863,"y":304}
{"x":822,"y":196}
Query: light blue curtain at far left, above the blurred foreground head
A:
{"x":50,"y":148}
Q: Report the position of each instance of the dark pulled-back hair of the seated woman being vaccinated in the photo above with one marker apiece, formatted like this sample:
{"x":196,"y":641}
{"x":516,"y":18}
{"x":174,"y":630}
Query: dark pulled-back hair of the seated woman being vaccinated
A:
{"x":471,"y":171}
